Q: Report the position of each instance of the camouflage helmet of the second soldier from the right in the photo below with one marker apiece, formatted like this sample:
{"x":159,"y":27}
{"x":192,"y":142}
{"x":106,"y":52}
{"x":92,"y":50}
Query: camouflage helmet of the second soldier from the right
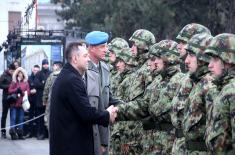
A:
{"x":197,"y":45}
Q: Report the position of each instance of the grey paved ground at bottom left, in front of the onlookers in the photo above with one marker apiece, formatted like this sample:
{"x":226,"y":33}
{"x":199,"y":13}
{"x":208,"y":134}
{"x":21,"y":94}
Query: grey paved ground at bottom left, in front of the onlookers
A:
{"x":30,"y":146}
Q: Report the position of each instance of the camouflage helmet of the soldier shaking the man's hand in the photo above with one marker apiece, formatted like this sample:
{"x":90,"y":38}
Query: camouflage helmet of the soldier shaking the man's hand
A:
{"x":167,"y":50}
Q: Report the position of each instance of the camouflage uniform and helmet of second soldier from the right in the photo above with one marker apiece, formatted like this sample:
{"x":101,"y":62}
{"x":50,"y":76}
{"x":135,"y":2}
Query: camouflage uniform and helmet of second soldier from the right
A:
{"x":194,"y":123}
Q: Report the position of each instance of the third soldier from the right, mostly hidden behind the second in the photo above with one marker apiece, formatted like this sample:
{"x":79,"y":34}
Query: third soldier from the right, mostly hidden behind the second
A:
{"x":185,"y":83}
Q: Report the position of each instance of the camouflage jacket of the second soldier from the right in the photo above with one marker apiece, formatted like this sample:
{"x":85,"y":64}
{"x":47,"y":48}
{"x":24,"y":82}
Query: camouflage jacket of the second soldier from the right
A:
{"x":194,"y":122}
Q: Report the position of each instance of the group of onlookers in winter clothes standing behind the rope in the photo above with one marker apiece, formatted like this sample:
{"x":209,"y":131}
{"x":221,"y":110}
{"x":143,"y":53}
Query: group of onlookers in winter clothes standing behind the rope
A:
{"x":15,"y":84}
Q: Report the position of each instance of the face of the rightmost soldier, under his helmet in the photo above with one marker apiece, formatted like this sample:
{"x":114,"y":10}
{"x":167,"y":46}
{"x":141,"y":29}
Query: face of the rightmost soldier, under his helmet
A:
{"x":216,"y":66}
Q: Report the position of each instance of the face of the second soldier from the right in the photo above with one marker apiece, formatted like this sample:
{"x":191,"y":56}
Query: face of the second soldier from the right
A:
{"x":191,"y":62}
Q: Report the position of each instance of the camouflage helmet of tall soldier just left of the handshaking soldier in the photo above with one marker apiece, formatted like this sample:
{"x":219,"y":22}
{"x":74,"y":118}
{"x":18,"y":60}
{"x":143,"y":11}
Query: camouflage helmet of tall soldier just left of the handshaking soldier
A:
{"x":143,"y":38}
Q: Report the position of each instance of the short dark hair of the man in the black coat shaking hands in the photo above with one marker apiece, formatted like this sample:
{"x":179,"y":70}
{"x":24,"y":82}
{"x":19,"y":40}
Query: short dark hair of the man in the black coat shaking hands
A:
{"x":71,"y":48}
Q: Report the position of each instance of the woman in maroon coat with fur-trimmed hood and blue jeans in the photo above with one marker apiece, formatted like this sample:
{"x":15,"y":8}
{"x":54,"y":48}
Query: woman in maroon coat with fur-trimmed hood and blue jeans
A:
{"x":18,"y":86}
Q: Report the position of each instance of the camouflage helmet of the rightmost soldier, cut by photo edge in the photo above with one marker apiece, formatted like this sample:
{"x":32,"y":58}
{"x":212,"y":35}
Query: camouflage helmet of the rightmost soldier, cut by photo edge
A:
{"x":223,"y":46}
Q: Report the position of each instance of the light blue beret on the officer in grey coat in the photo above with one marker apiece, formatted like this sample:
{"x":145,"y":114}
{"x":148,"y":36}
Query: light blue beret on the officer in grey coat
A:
{"x":96,"y":38}
